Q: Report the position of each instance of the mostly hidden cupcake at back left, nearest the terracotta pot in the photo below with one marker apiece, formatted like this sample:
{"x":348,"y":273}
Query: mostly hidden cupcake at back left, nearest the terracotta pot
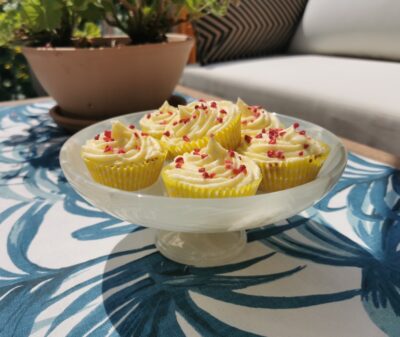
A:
{"x":155,"y":123}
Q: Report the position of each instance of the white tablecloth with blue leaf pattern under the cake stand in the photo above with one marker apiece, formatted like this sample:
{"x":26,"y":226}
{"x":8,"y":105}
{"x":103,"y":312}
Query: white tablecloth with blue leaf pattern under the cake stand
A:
{"x":67,"y":269}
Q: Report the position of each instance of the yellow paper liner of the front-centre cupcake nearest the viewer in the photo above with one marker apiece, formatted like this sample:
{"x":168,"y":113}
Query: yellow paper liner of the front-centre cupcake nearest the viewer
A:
{"x":179,"y":189}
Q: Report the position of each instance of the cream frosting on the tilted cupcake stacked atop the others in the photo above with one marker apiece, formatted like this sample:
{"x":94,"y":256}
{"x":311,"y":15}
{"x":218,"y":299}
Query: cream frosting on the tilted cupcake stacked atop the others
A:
{"x":198,"y":120}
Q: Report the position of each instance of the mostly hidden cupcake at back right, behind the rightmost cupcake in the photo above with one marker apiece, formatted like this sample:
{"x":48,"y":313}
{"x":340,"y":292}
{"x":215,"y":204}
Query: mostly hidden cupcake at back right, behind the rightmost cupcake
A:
{"x":254,"y":119}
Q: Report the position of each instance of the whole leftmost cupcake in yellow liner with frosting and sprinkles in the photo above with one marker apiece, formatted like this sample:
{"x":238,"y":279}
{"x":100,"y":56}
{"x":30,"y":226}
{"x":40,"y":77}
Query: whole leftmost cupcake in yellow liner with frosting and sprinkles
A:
{"x":124,"y":158}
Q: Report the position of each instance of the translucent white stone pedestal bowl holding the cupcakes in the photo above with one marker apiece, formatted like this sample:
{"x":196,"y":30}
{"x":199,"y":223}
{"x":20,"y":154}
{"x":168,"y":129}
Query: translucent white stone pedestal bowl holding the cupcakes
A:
{"x":201,"y":232}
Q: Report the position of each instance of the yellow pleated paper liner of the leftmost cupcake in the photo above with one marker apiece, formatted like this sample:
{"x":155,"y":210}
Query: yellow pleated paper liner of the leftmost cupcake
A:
{"x":129,"y":177}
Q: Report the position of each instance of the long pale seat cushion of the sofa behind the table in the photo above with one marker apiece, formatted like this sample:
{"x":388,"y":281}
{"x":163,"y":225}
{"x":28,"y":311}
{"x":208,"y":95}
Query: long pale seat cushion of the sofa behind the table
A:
{"x":357,"y":99}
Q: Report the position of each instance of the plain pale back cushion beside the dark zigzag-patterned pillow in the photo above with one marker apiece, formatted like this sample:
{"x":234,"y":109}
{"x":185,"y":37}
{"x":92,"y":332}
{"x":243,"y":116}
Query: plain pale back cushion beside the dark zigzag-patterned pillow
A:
{"x":369,"y":28}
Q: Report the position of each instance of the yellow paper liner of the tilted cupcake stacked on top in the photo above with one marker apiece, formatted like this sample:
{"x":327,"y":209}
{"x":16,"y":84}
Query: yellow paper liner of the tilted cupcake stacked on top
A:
{"x":228,"y":137}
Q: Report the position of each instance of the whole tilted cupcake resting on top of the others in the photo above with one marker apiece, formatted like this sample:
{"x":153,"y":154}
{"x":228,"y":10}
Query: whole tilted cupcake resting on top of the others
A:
{"x":199,"y":120}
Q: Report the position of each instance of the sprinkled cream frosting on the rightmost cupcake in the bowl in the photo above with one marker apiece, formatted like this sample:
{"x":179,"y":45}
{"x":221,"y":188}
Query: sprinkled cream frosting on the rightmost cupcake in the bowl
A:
{"x":278,"y":144}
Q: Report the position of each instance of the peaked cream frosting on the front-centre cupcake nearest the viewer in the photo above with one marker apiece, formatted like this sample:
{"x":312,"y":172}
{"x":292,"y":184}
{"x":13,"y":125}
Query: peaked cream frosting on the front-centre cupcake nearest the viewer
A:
{"x":213,"y":166}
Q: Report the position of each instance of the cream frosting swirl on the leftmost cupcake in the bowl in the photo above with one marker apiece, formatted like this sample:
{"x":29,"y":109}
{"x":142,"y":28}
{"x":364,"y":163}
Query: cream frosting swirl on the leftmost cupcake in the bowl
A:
{"x":121,"y":145}
